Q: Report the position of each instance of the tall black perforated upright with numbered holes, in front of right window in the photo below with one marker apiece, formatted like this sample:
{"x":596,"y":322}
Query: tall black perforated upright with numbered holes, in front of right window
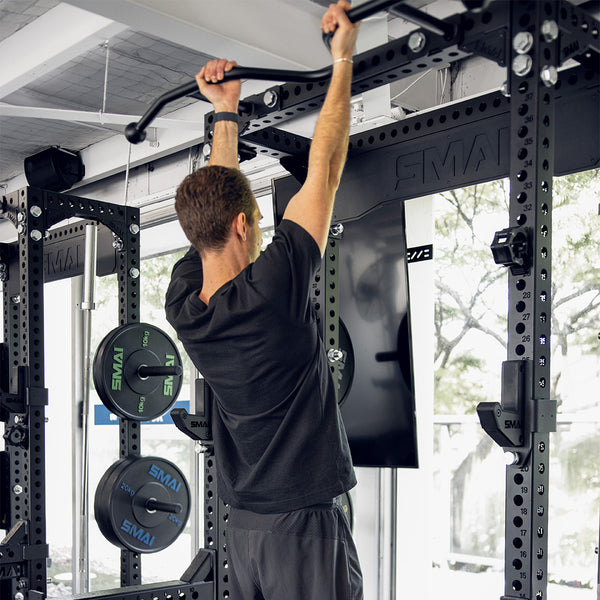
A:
{"x":531,"y":171}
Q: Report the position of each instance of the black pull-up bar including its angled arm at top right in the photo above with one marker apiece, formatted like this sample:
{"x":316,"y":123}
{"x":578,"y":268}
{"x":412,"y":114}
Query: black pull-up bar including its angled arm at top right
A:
{"x":135,"y":132}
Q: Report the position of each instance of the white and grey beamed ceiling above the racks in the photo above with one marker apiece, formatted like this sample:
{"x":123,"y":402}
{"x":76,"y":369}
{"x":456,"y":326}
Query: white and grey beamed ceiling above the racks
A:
{"x":73,"y":73}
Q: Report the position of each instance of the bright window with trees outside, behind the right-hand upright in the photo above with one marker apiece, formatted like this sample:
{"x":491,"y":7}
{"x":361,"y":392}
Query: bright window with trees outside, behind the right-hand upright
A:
{"x":470,"y":332}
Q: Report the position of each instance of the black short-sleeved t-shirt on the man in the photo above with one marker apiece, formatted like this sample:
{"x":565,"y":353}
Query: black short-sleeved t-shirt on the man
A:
{"x":279,"y":440}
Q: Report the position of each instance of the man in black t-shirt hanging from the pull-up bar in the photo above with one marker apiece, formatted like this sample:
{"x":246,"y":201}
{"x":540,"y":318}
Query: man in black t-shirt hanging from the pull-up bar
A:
{"x":246,"y":320}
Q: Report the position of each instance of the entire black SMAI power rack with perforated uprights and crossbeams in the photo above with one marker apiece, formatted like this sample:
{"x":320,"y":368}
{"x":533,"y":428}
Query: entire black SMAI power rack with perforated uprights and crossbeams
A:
{"x":545,"y":123}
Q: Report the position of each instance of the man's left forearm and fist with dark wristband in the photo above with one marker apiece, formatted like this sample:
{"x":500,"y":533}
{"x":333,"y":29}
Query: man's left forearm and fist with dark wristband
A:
{"x":224,"y":98}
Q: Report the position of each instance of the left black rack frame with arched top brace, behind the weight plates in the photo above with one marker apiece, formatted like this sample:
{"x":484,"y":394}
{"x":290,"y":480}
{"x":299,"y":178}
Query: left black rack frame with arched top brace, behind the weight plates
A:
{"x":24,"y":265}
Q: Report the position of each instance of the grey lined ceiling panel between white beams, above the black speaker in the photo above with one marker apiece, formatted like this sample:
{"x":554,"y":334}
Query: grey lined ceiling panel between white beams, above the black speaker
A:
{"x":140,"y":67}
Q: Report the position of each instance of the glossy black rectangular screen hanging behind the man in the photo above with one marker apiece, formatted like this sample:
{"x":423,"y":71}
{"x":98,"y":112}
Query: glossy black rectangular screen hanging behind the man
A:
{"x":379,"y":408}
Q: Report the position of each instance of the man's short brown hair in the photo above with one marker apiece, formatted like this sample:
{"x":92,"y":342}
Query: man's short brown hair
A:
{"x":208,"y":200}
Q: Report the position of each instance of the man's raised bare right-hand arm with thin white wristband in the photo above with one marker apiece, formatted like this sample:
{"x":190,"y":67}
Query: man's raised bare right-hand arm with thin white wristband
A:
{"x":312,"y":206}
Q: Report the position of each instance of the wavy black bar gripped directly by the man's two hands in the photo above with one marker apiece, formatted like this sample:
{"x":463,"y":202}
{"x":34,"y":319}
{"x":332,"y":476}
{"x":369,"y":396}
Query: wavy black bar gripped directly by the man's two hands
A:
{"x":135,"y":132}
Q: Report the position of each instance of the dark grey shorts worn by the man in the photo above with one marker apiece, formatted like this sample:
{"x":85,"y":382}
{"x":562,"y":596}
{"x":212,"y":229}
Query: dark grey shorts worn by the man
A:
{"x":306,"y":554}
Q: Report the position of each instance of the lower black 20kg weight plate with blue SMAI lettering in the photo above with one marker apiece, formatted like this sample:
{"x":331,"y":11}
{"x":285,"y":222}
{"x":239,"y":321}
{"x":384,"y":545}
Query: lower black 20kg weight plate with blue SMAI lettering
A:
{"x":121,"y":504}
